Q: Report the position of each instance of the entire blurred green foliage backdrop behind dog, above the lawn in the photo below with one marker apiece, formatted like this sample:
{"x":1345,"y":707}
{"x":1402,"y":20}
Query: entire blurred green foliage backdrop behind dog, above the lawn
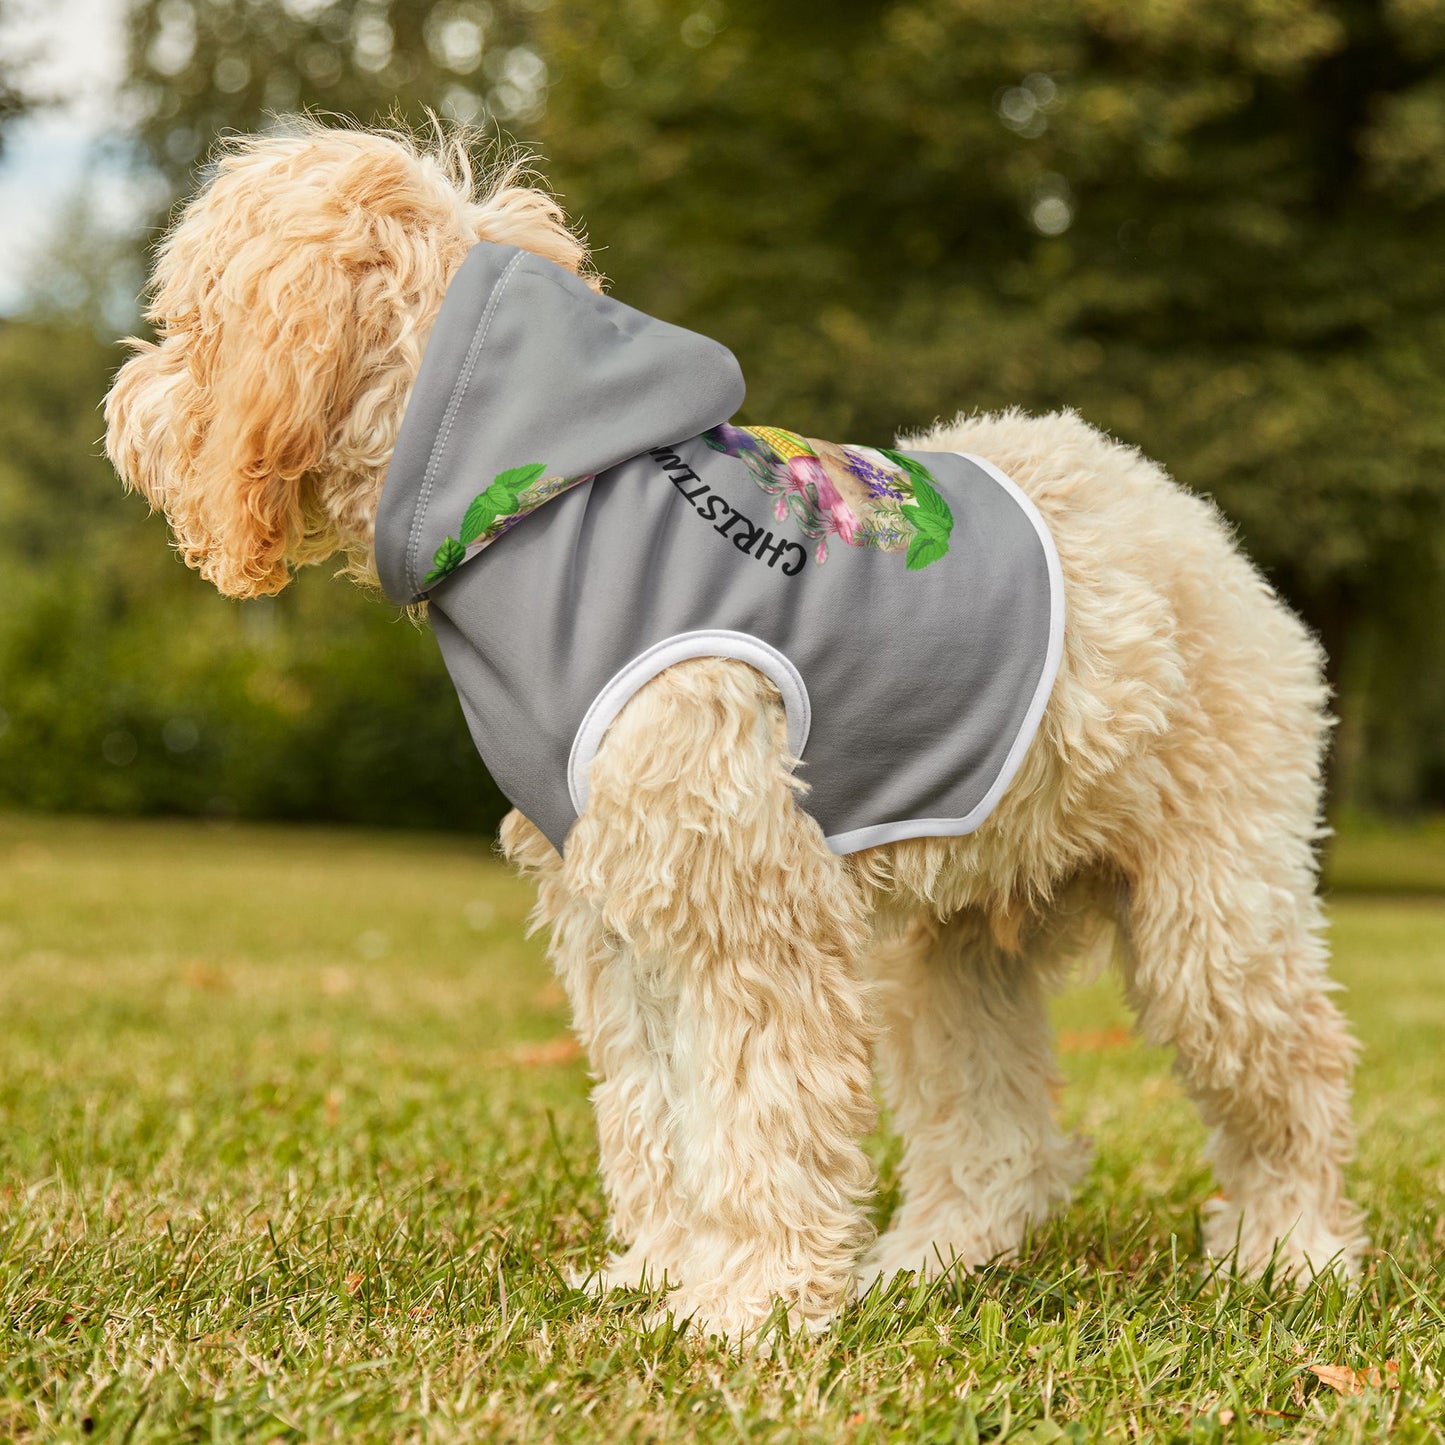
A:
{"x":1216,"y":229}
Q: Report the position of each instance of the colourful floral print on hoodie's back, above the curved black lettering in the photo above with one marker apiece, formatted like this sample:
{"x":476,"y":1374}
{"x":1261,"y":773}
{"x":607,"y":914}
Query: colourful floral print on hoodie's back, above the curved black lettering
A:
{"x":865,"y":496}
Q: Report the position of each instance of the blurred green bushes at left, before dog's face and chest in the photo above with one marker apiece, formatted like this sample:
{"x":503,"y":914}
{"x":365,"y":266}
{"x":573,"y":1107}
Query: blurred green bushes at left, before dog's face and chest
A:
{"x":128,"y":686}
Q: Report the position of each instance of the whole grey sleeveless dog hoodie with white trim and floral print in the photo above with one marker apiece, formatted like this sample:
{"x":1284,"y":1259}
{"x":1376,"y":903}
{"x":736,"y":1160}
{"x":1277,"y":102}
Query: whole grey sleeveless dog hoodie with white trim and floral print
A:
{"x":569,"y":498}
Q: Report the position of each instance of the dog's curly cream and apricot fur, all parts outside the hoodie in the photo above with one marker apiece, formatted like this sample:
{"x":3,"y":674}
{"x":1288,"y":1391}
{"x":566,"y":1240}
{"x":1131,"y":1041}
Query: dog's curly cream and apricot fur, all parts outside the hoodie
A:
{"x":729,"y":976}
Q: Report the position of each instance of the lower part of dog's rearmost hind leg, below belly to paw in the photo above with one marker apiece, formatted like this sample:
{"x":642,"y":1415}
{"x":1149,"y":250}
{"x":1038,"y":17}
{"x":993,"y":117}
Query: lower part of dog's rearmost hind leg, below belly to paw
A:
{"x":1226,"y":963}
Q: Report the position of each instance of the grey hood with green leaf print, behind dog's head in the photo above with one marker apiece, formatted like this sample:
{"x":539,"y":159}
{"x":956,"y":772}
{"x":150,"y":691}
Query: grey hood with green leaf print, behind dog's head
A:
{"x":531,"y":382}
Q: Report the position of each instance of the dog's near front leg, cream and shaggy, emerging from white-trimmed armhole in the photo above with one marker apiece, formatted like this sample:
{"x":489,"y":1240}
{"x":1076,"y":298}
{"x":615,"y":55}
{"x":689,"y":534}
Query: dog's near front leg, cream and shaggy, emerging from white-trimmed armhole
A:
{"x":749,"y":1090}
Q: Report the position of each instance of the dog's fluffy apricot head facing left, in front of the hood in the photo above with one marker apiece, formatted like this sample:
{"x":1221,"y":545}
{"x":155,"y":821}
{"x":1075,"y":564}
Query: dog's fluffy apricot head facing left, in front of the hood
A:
{"x":293,"y":301}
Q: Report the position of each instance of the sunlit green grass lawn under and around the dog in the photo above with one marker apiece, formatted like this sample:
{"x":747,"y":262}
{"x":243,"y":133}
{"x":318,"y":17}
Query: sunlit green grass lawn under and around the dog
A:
{"x":284,"y":1155}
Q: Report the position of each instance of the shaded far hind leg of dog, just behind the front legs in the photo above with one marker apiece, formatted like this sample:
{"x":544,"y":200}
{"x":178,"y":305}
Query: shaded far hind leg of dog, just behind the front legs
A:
{"x":967,"y":1063}
